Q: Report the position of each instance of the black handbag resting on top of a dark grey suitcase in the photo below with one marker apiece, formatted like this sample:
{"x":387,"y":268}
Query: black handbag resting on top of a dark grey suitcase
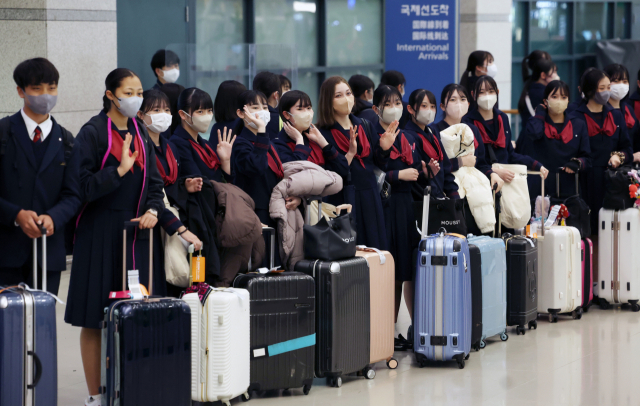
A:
{"x":331,"y":240}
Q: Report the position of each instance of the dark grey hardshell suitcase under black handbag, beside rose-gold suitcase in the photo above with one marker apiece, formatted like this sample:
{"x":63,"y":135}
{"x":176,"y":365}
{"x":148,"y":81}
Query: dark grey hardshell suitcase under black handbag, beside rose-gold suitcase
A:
{"x":343,"y":318}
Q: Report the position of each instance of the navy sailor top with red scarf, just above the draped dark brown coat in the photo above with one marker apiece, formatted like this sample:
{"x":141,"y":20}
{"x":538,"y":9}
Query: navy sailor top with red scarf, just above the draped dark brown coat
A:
{"x":198,"y":159}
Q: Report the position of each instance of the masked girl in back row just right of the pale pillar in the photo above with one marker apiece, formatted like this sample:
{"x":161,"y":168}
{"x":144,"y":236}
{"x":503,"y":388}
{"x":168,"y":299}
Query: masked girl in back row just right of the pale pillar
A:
{"x":543,"y":72}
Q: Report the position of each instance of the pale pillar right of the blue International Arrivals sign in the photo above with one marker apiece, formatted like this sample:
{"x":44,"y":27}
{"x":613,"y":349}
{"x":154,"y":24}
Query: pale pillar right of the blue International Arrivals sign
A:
{"x":485,"y":25}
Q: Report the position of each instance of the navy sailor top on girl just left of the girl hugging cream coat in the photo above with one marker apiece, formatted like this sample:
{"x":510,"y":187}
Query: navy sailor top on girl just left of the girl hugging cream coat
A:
{"x":429,"y":146}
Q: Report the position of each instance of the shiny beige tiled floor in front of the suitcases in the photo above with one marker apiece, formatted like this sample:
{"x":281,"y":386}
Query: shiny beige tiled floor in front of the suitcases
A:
{"x":592,"y":362}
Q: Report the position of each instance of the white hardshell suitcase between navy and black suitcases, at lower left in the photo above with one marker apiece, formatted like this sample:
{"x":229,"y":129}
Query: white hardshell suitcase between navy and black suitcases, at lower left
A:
{"x":220,"y":345}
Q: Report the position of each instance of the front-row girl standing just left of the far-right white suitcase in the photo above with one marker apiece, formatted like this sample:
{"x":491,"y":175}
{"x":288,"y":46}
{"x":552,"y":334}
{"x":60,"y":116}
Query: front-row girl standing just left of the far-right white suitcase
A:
{"x":608,"y":139}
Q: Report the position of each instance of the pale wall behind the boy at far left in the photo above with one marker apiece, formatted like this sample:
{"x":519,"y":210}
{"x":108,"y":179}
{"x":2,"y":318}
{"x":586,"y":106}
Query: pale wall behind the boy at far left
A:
{"x":77,"y":36}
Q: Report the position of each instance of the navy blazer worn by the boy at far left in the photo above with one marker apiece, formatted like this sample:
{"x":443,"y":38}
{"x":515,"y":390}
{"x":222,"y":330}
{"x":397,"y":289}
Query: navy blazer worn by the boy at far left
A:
{"x":50,"y":186}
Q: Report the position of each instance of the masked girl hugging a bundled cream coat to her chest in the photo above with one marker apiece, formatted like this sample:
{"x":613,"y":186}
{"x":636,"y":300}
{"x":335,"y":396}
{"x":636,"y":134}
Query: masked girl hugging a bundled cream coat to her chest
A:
{"x":454,"y":102}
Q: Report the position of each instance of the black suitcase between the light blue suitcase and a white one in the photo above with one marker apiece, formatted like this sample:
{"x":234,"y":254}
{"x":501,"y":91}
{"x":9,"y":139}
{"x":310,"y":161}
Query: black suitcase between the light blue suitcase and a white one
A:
{"x":522,"y":282}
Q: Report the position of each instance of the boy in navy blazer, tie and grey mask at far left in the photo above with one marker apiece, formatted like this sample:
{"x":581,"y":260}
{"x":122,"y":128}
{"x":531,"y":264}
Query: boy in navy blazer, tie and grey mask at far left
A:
{"x":39,"y":162}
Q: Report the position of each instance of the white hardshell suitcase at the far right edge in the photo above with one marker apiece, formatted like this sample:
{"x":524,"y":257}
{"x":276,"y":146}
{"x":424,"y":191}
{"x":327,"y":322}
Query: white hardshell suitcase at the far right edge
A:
{"x":619,"y":258}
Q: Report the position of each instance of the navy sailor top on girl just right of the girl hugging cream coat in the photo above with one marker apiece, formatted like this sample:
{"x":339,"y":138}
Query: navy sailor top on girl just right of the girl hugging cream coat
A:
{"x":497,"y":134}
